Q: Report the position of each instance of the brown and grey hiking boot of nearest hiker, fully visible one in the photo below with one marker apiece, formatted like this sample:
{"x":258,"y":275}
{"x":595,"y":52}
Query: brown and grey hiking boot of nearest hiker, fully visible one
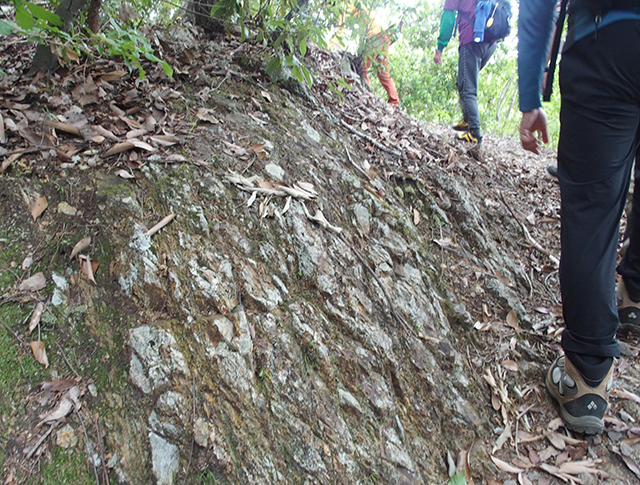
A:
{"x":582,"y":407}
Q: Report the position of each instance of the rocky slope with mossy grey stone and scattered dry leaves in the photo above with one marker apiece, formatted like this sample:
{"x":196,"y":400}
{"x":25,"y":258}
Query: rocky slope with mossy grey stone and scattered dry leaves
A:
{"x":340,"y":294}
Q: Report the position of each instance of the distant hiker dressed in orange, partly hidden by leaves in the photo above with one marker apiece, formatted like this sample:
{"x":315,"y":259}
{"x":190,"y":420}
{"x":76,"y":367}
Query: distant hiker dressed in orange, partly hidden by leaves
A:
{"x":374,"y":50}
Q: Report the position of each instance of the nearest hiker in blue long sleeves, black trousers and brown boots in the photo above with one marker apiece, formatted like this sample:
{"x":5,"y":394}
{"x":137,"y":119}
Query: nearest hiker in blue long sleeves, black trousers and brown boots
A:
{"x":599,"y":140}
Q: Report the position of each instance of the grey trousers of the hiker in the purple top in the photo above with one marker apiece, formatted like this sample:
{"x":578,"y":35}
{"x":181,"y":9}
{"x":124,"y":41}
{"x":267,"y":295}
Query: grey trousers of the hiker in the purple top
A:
{"x":472,"y":58}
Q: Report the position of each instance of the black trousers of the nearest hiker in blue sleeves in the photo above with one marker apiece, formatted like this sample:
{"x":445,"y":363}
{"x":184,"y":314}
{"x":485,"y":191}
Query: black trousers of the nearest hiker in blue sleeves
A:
{"x":599,"y":135}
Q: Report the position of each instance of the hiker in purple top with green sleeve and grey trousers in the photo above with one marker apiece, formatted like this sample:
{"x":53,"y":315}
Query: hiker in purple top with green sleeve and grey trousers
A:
{"x":472,"y":57}
